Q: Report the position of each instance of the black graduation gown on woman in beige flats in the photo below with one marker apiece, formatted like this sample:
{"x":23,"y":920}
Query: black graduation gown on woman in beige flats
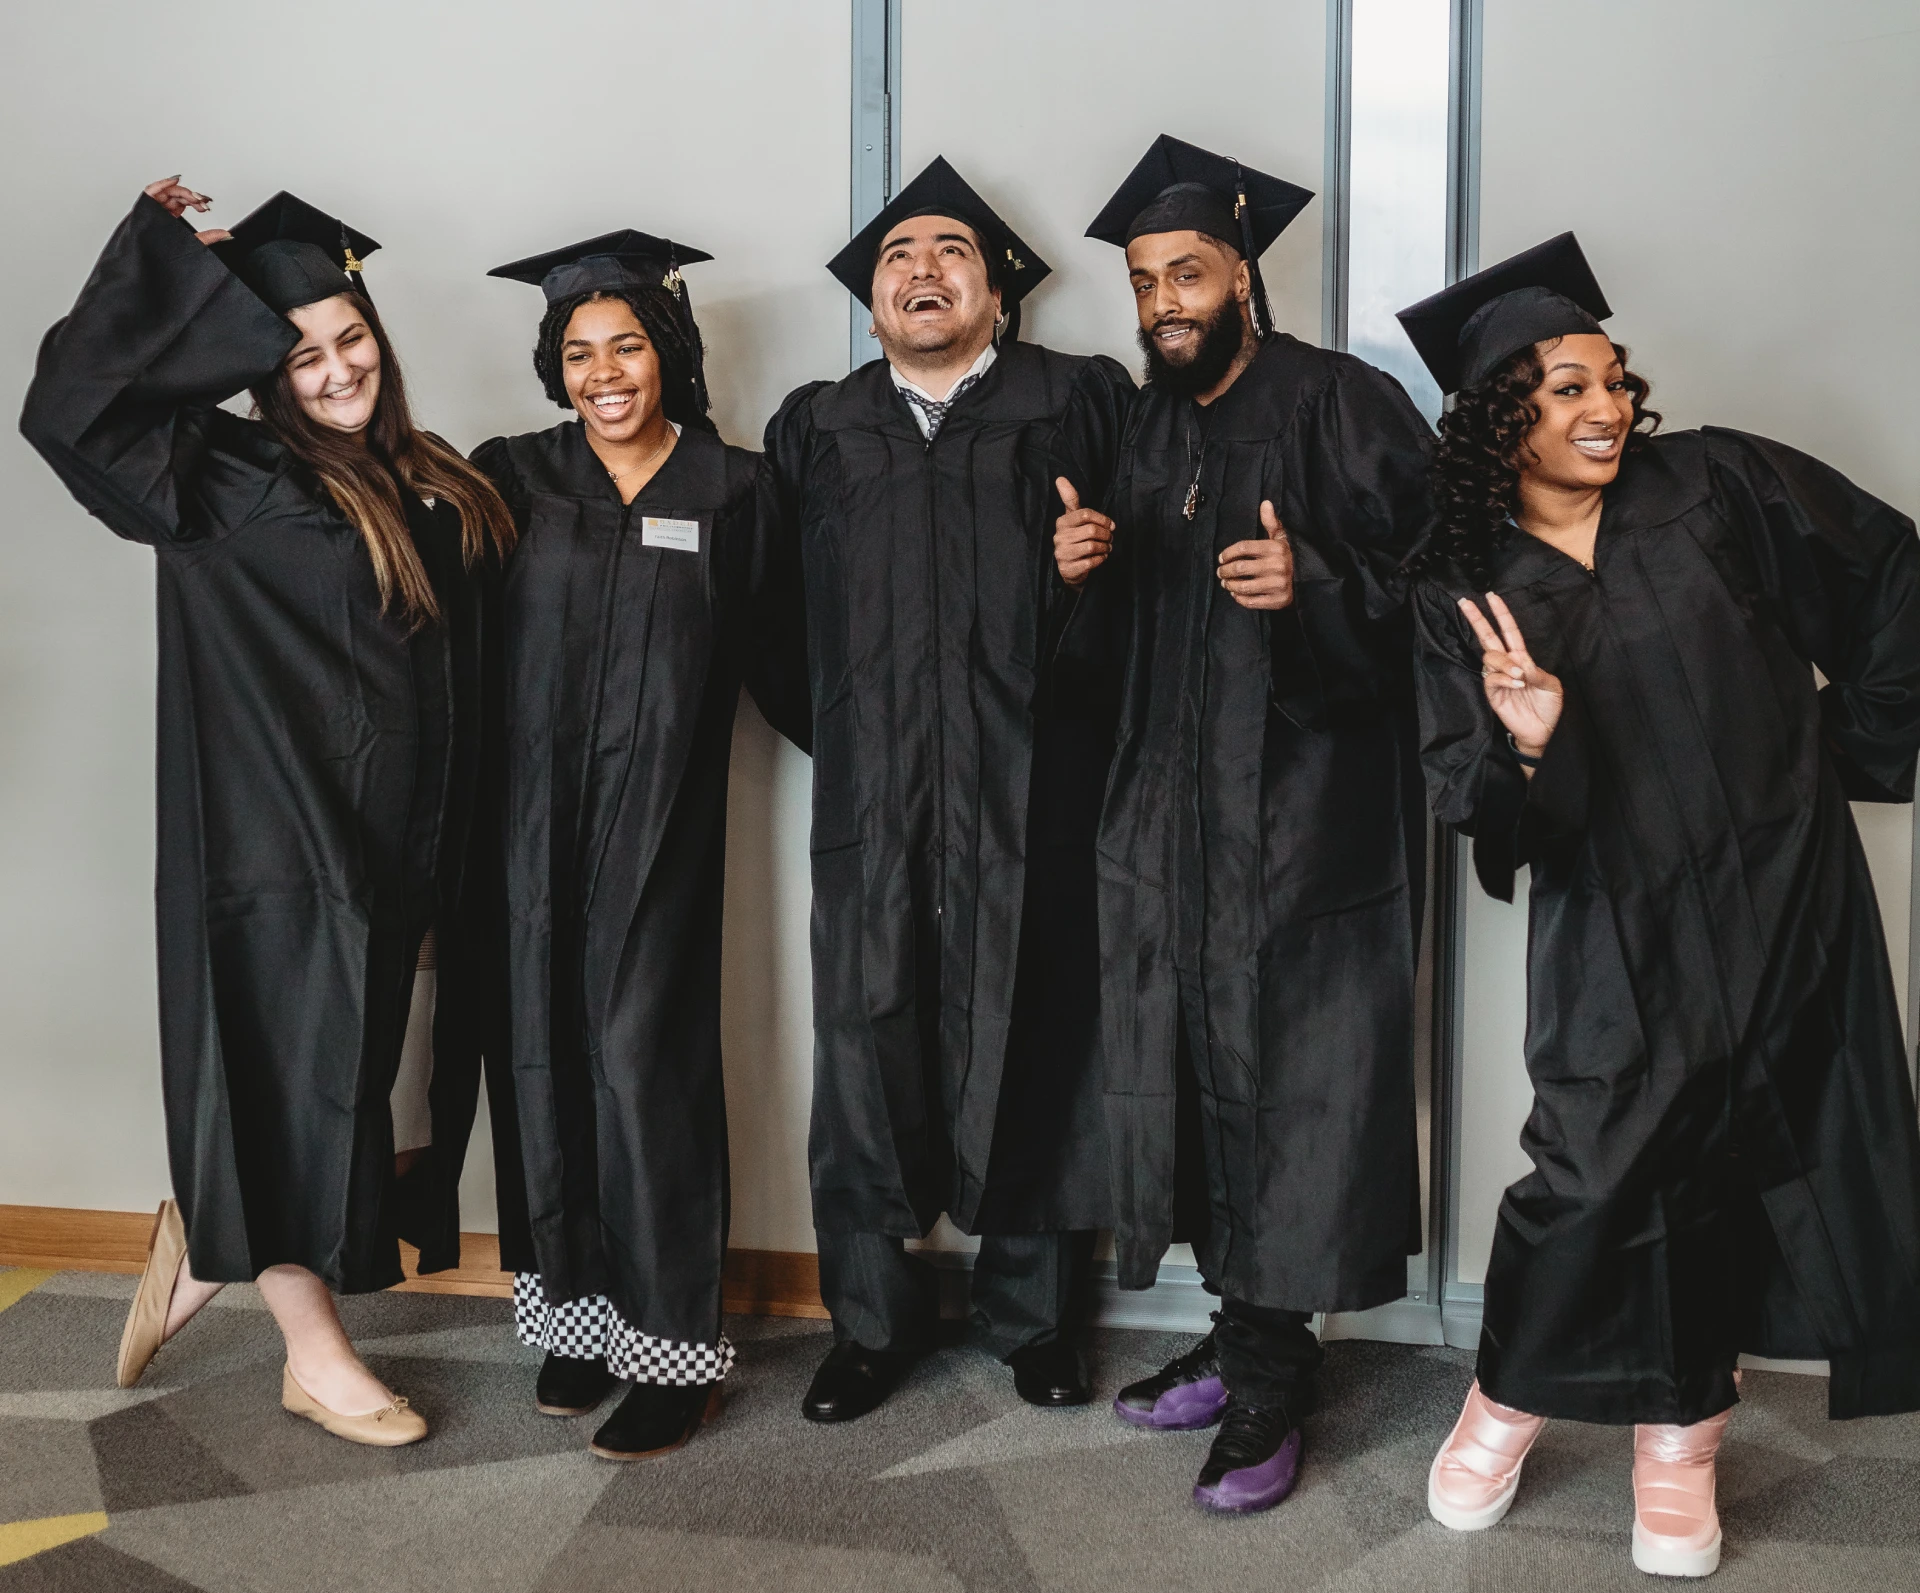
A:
{"x":320,"y":784}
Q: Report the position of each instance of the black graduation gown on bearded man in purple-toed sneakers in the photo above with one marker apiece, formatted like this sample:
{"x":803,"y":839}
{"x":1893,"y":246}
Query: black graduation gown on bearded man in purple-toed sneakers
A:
{"x":1262,"y":851}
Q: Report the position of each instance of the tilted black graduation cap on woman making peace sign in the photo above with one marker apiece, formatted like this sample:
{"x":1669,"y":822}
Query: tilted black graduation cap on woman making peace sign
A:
{"x":1464,"y":333}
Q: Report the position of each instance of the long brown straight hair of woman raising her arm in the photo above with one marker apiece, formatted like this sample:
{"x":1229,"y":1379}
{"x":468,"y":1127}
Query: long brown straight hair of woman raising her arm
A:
{"x":364,"y":473}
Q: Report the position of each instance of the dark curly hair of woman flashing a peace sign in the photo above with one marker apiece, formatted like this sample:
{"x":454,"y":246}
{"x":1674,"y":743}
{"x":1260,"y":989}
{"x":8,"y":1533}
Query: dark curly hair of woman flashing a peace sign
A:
{"x":1477,"y":465}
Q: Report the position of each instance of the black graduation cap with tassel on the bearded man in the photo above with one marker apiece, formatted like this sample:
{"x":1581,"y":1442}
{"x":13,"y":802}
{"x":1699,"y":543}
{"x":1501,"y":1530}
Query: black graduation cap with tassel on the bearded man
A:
{"x":1180,"y":187}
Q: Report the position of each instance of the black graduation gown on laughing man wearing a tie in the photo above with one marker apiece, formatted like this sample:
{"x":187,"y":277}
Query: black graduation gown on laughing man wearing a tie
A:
{"x":957,"y":780}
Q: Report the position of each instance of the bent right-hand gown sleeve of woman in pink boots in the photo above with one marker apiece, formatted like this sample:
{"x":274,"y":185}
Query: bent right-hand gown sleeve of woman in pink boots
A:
{"x":1844,"y":577}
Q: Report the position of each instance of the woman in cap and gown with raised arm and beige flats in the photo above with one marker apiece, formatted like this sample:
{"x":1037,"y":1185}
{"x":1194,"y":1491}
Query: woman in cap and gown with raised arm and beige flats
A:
{"x":325,"y":646}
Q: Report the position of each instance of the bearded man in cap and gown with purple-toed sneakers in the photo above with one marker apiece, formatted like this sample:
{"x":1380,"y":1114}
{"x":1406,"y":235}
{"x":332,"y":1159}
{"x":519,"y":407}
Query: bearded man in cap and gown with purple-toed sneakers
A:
{"x":1262,"y":849}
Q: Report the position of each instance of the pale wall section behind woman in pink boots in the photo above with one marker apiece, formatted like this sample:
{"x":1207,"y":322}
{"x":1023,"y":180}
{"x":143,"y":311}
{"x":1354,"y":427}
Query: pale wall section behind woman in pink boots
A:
{"x":1742,"y":178}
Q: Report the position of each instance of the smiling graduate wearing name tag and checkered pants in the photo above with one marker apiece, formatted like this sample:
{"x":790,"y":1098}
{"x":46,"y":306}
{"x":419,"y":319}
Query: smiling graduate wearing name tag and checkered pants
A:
{"x":640,"y":600}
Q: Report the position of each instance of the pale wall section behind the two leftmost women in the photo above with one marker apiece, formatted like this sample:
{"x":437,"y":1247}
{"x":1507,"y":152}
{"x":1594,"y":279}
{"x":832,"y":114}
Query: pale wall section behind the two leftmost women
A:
{"x":460,"y":137}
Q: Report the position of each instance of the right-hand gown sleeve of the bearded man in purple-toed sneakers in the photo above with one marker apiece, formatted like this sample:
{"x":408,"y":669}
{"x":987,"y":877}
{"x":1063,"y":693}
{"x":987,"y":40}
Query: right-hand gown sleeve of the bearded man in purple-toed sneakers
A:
{"x":1360,"y":504}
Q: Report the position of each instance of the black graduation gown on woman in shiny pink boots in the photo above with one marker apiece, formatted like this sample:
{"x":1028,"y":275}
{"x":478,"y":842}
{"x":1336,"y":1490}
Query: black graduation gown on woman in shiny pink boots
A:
{"x":1723,"y":1128}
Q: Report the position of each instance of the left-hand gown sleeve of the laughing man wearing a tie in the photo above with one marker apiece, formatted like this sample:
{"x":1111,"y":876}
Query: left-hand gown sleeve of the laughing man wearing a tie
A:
{"x":777,"y":652}
